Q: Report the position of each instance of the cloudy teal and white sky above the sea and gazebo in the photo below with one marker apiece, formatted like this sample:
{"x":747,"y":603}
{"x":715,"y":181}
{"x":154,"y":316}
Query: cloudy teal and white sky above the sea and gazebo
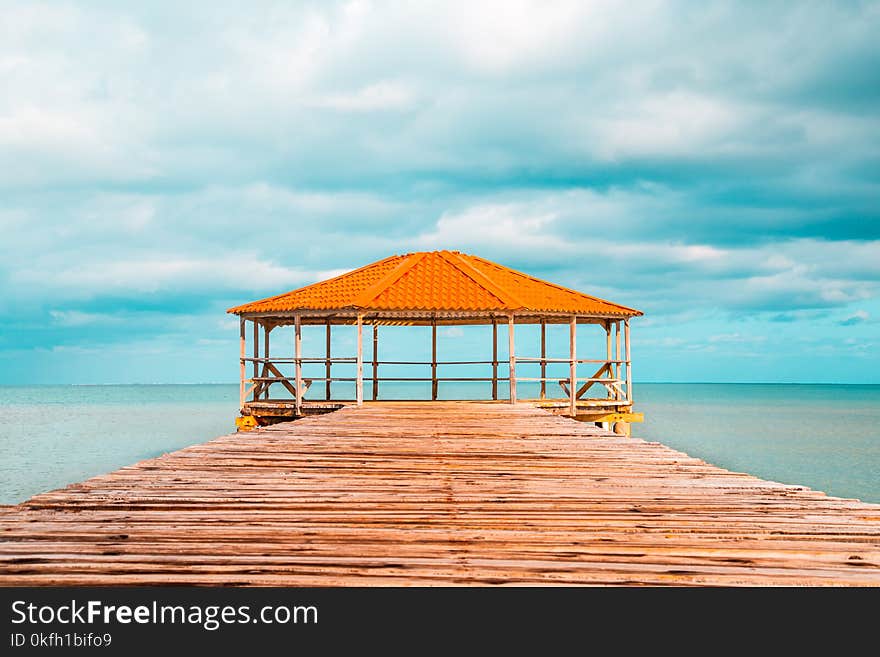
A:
{"x":714,"y":164}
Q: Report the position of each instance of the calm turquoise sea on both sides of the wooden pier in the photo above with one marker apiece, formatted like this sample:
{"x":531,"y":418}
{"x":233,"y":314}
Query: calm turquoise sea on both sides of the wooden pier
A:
{"x":824,"y":436}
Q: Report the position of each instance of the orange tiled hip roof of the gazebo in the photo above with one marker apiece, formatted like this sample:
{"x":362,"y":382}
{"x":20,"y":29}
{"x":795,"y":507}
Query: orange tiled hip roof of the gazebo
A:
{"x":436,"y":281}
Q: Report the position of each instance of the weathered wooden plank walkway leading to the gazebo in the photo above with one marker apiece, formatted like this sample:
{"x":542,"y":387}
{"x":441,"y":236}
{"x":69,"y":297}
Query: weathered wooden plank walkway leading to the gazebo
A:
{"x":441,"y":493}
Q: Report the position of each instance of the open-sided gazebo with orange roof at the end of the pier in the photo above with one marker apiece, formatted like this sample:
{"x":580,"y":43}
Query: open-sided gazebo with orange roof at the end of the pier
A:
{"x":437,"y":288}
